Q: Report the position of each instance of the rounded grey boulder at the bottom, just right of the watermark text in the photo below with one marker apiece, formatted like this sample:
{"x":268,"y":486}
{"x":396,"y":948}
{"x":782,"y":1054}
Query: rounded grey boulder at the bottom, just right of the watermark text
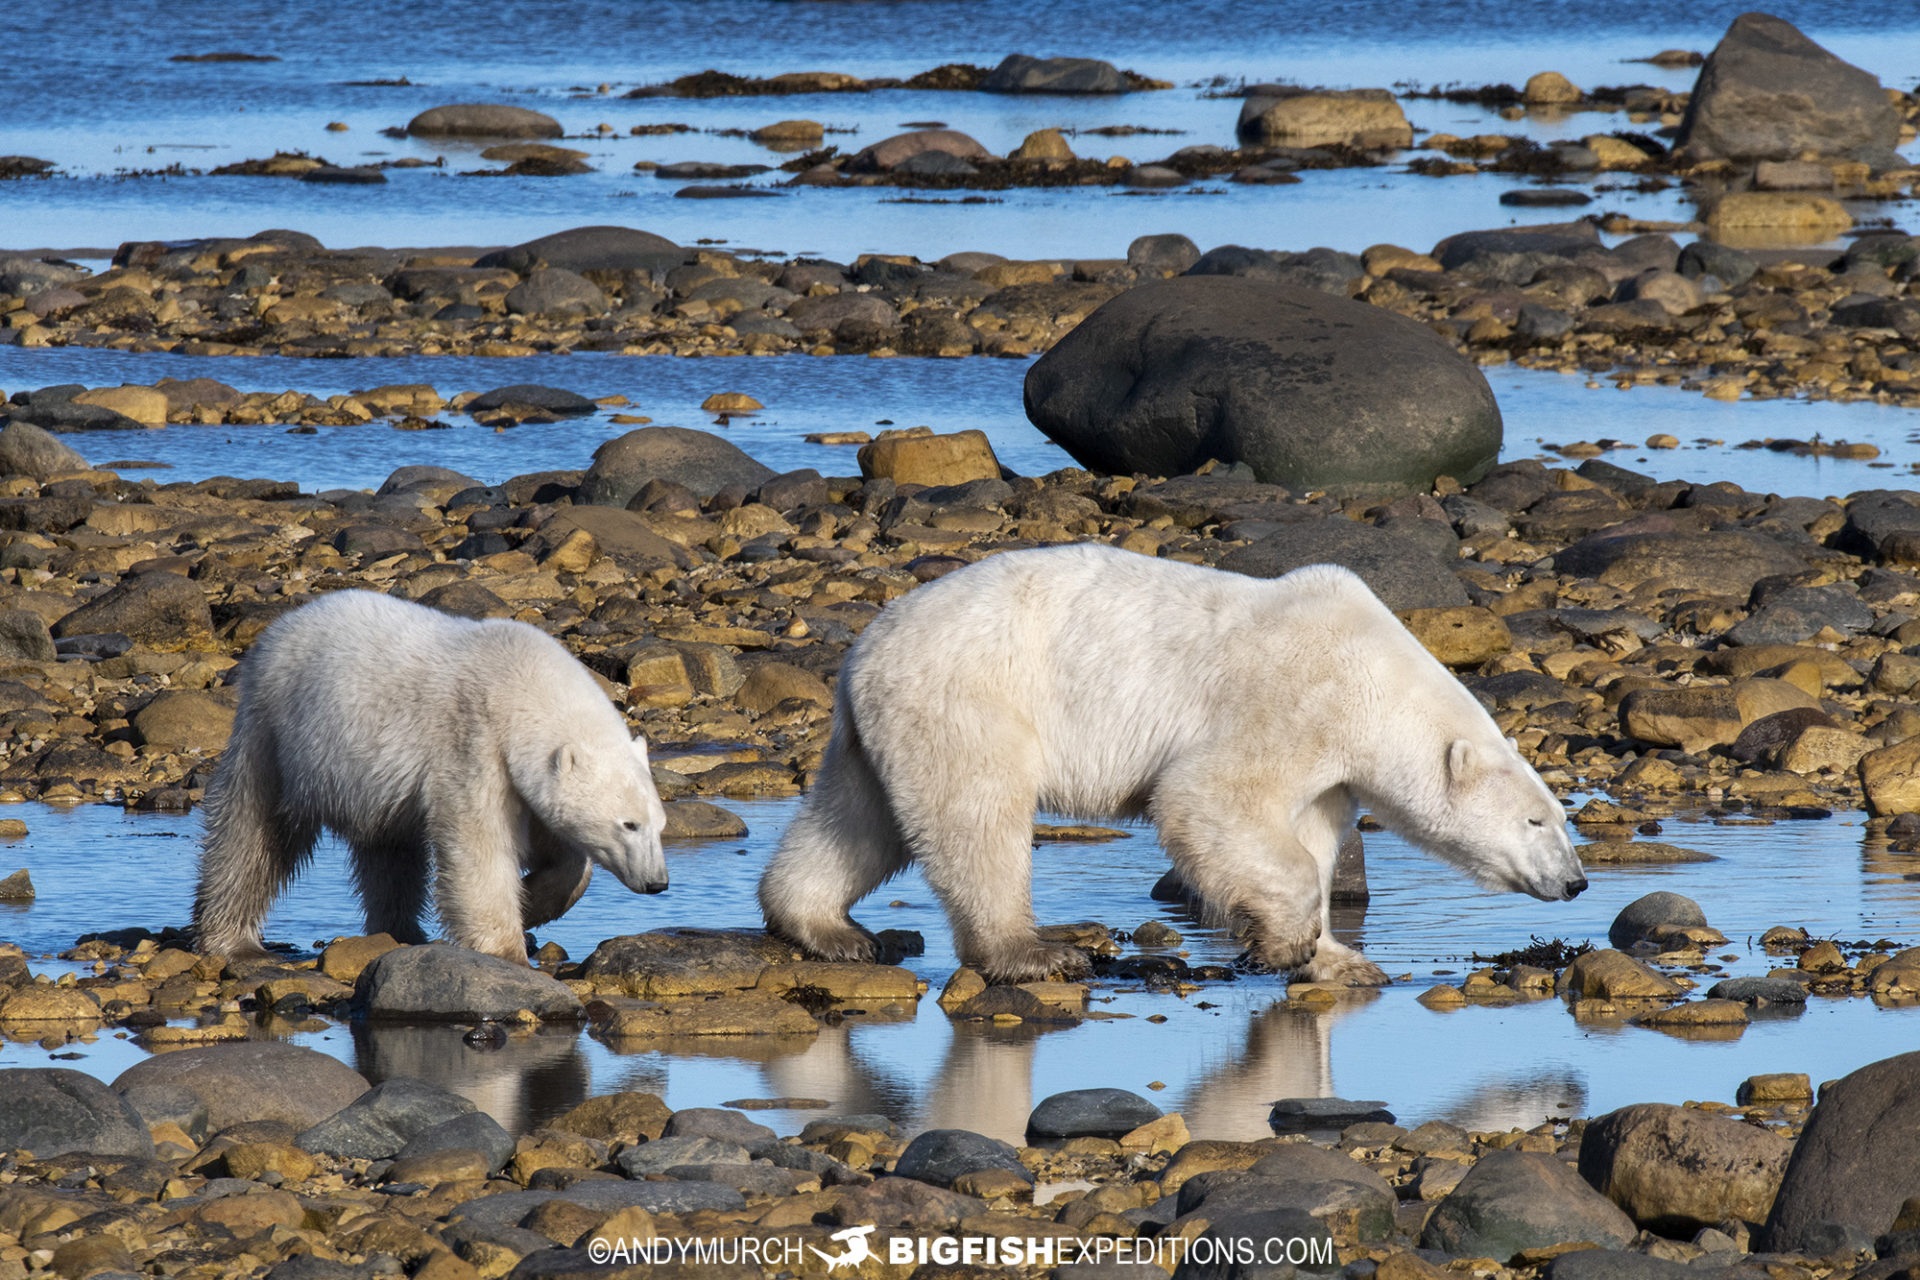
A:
{"x":1524,"y":1200}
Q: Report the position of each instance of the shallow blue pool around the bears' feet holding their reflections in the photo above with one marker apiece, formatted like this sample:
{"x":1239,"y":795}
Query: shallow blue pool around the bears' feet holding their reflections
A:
{"x":1220,"y":1056}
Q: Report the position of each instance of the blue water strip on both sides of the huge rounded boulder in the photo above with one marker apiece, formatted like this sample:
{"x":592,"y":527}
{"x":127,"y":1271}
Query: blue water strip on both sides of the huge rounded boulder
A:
{"x":830,"y":394}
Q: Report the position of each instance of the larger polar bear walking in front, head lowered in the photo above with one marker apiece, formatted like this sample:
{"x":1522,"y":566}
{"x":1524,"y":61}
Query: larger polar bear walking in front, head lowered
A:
{"x":1249,"y":719}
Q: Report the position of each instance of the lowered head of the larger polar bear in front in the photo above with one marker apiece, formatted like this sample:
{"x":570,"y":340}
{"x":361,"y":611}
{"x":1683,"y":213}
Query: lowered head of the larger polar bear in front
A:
{"x":1502,"y":824}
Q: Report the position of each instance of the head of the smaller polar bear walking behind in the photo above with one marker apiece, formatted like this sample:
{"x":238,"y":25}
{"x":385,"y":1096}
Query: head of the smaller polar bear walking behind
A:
{"x":606,"y":805}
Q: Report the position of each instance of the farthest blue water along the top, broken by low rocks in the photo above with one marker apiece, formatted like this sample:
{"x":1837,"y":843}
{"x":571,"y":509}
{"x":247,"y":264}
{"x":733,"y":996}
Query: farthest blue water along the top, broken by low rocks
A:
{"x":552,"y":59}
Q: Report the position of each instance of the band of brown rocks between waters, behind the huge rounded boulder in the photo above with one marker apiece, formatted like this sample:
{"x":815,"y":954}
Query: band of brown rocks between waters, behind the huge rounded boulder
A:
{"x":1708,"y":318}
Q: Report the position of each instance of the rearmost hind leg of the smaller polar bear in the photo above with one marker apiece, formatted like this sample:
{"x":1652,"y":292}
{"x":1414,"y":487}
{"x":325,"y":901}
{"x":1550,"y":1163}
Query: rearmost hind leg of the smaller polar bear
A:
{"x":252,"y":849}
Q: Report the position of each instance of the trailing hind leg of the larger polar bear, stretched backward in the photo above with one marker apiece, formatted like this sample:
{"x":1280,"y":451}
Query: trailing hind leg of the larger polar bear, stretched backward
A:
{"x":840,"y":847}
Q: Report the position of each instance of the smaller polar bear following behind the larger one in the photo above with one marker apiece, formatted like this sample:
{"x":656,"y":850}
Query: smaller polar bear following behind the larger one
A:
{"x":423,"y":740}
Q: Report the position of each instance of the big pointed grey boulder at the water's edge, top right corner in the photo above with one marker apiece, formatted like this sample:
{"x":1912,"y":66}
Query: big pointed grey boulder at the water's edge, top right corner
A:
{"x":1769,"y":93}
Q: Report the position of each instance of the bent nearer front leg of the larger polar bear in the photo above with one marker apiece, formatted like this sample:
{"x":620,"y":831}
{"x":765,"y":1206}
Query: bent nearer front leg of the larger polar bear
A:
{"x":1247,"y":868}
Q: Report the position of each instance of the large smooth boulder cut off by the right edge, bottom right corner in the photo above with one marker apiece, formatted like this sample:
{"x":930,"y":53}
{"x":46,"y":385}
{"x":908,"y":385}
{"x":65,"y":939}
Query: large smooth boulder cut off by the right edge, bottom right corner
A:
{"x":1856,"y":1162}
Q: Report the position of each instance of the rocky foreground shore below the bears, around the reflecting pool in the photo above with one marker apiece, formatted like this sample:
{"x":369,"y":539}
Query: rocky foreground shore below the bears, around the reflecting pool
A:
{"x":252,"y":1154}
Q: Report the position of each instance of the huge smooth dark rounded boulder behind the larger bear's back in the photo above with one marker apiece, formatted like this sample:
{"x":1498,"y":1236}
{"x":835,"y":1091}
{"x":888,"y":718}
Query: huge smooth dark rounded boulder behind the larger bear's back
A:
{"x":1312,"y":392}
